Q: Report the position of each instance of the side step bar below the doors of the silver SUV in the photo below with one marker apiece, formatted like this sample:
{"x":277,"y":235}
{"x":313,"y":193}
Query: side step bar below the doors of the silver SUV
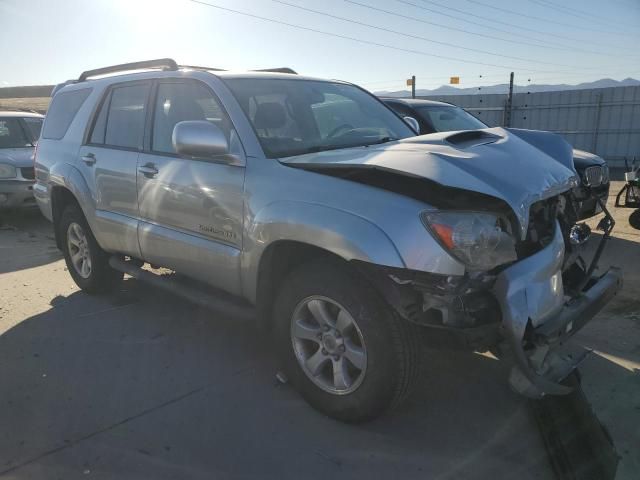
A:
{"x":188,"y":290}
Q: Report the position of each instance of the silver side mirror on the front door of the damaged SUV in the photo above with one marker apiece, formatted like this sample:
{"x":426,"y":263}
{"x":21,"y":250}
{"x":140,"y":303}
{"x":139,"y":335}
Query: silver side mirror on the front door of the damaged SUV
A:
{"x":199,"y":138}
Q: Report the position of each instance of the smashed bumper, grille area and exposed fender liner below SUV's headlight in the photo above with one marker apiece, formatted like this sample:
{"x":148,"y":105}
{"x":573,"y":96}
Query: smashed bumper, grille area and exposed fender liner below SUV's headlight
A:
{"x":526,"y":308}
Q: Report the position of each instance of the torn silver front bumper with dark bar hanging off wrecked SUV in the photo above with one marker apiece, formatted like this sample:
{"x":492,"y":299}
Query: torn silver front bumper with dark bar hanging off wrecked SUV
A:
{"x":538,"y":320}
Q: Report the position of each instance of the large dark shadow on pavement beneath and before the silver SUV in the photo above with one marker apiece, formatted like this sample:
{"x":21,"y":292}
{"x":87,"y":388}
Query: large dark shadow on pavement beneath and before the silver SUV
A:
{"x":141,"y":385}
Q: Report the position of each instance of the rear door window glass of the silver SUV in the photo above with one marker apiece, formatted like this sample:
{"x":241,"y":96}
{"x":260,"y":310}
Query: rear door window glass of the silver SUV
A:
{"x":125,"y":117}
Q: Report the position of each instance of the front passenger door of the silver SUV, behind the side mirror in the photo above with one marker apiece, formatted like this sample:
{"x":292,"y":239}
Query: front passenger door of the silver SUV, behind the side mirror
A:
{"x":190,"y":210}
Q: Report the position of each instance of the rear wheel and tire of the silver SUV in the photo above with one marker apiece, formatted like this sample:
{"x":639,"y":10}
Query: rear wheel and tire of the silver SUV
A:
{"x":77,"y":237}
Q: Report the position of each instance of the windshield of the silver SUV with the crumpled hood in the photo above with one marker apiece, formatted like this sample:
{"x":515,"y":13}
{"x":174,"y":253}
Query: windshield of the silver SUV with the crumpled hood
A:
{"x":293,"y":117}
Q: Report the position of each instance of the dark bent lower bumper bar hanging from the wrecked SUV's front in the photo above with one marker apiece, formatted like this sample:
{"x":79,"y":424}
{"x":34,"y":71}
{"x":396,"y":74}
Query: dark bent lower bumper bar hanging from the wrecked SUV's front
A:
{"x":549,"y":359}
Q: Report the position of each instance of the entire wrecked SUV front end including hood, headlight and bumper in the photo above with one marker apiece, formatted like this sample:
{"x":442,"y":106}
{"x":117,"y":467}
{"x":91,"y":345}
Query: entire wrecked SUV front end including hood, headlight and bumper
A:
{"x":502,"y":204}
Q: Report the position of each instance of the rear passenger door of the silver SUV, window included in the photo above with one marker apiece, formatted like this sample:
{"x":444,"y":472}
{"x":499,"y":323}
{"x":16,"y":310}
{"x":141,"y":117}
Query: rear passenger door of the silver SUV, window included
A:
{"x":109,"y":164}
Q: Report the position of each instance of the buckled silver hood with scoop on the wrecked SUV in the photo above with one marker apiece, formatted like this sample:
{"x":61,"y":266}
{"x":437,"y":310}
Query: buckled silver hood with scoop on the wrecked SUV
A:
{"x":520,"y":167}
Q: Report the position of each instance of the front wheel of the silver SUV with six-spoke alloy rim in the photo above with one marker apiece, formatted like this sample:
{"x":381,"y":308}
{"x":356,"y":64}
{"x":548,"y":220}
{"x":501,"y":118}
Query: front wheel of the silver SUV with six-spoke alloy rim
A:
{"x":385,"y":348}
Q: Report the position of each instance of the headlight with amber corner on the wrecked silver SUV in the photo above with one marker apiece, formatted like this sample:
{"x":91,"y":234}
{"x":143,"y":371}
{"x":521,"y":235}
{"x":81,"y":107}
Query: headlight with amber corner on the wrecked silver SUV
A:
{"x":480,"y":240}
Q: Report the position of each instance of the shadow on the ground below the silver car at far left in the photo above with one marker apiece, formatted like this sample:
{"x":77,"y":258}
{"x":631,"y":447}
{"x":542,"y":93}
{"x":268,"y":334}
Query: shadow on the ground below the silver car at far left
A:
{"x":26,"y":240}
